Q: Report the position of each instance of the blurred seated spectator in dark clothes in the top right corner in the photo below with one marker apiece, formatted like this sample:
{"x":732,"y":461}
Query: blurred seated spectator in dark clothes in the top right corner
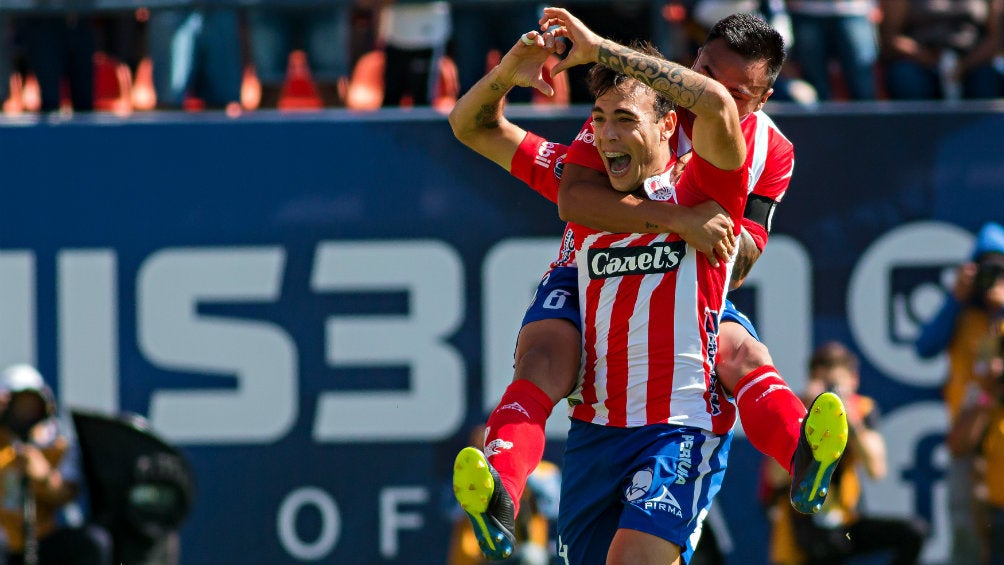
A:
{"x":936,"y":50}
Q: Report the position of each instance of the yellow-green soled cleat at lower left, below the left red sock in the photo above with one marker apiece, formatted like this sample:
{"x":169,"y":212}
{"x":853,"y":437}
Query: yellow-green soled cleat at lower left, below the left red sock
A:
{"x":480,"y":493}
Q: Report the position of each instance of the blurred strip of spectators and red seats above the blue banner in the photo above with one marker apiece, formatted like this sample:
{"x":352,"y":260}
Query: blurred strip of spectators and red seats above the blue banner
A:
{"x":115,"y":56}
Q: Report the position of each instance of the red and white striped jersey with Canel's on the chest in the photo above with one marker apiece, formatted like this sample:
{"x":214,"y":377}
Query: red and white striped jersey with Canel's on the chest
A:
{"x":651,"y":308}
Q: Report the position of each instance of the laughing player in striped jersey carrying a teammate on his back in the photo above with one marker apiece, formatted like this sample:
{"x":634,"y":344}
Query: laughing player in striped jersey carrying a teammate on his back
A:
{"x":651,"y":432}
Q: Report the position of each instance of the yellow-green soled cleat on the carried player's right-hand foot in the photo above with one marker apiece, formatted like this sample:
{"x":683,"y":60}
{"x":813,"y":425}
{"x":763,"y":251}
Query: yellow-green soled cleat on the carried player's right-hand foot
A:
{"x":821,"y":445}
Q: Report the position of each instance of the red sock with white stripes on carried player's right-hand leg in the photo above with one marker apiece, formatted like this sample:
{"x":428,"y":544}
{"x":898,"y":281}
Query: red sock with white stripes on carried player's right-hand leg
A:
{"x":772,"y":414}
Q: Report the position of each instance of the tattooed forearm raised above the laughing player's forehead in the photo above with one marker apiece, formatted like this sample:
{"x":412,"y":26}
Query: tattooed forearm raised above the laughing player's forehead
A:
{"x":681,"y":85}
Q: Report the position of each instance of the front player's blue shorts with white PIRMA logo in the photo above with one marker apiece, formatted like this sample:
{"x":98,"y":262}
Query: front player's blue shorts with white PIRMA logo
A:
{"x":656,"y":479}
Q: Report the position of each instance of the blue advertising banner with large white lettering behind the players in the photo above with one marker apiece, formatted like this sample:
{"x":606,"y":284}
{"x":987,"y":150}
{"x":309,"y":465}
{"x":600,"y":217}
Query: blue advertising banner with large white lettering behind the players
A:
{"x":317,"y":309}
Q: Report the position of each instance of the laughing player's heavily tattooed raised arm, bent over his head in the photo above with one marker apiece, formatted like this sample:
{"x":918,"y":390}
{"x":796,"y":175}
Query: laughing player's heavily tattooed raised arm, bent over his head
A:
{"x":717,"y":136}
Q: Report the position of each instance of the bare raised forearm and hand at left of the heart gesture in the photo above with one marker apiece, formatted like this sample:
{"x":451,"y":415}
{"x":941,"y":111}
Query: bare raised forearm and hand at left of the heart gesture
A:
{"x":477,"y":119}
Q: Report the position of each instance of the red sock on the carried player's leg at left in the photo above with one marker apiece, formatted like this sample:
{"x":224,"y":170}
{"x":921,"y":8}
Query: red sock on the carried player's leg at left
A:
{"x":515,"y":442}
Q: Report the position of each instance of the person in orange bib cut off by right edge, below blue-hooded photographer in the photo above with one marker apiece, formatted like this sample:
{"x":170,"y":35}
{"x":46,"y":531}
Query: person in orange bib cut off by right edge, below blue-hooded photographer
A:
{"x":979,"y":431}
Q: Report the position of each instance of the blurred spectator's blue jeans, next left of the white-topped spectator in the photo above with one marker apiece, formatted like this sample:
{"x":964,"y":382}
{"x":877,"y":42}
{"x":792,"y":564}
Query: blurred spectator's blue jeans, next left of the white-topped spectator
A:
{"x":321,"y":31}
